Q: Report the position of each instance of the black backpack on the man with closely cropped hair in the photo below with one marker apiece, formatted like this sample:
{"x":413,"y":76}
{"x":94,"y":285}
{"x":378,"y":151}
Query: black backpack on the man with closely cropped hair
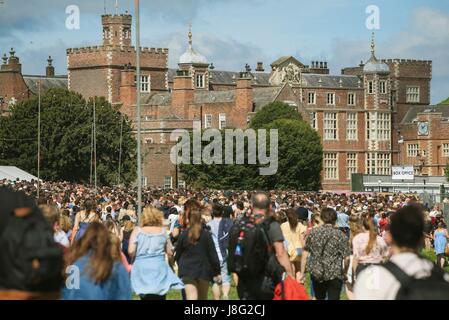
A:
{"x":251,"y":258}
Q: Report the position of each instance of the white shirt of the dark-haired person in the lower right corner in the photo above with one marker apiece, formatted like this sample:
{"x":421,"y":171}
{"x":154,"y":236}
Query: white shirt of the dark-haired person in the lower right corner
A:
{"x":377,"y":283}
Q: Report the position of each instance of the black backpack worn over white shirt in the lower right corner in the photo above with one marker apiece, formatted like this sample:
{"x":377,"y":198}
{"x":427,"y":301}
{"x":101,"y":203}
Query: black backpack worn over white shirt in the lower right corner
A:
{"x":434,"y":287}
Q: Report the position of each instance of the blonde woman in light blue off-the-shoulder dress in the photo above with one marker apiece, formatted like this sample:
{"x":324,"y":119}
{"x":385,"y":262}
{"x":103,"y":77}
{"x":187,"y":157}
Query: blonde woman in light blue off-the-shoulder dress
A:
{"x":151,"y":276}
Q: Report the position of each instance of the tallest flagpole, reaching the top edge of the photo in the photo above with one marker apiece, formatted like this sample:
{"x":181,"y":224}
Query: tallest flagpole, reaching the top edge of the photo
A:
{"x":139,"y":156}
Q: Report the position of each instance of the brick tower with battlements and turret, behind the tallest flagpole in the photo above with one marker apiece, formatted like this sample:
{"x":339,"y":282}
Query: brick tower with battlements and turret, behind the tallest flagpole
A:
{"x":100,"y":70}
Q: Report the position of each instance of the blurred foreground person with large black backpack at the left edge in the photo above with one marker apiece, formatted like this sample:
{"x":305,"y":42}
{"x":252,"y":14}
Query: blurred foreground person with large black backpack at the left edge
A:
{"x":31,"y":262}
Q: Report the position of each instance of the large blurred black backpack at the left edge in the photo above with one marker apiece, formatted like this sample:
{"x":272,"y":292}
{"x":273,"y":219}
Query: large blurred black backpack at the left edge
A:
{"x":30,"y":260}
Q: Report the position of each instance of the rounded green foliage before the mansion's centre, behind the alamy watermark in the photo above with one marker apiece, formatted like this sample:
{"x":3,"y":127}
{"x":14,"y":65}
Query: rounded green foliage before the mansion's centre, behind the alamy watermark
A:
{"x":299,"y":154}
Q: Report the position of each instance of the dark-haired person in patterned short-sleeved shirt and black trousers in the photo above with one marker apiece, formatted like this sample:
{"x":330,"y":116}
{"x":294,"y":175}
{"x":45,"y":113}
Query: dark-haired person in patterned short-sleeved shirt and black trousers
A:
{"x":329,"y":253}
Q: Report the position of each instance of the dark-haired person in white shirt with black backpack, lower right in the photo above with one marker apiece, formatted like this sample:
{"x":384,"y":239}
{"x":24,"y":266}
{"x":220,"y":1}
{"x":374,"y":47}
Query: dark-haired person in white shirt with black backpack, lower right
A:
{"x":407,"y":276}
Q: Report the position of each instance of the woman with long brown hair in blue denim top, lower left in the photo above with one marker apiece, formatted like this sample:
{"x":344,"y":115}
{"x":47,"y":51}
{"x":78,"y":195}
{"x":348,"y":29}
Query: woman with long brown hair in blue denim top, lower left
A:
{"x":92,"y":272}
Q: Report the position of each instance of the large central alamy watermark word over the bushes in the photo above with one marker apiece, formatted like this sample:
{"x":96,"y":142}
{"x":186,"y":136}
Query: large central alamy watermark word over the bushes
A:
{"x":212,"y":153}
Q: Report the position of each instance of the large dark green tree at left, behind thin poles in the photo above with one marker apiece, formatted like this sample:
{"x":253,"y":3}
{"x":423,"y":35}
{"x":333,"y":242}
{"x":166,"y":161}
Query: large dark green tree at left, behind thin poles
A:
{"x":66,"y":135}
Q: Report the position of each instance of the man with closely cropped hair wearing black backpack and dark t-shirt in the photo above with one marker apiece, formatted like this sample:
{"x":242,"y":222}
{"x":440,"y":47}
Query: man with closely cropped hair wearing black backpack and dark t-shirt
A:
{"x":257,"y":253}
